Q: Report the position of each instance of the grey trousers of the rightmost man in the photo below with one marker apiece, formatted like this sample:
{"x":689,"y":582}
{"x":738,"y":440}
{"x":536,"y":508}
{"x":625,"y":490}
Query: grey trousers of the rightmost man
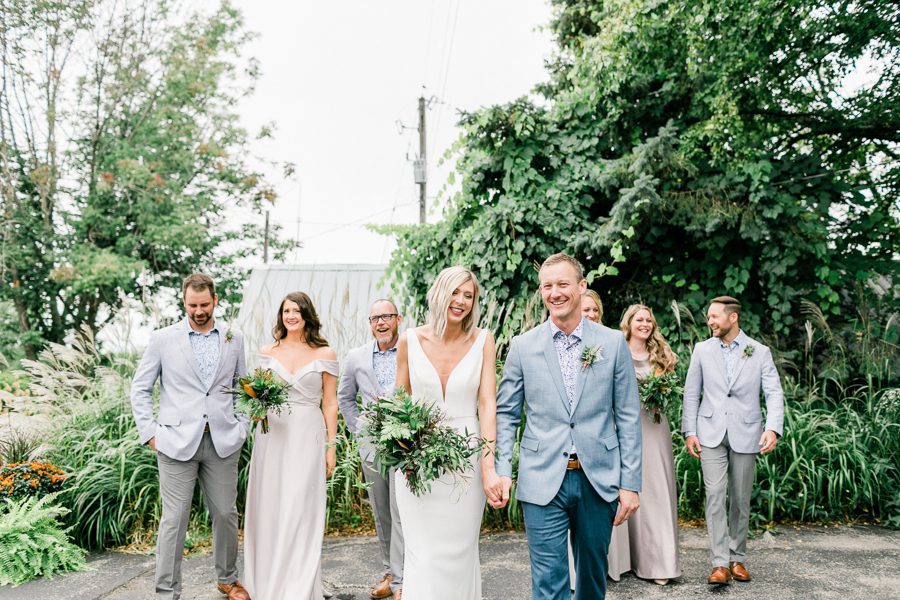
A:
{"x":725,"y":470}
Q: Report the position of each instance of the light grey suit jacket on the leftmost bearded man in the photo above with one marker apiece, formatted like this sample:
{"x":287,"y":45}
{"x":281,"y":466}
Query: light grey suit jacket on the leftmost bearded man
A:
{"x":185,"y":404}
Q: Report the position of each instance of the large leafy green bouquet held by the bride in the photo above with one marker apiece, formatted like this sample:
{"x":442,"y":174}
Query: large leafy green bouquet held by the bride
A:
{"x":409,"y":437}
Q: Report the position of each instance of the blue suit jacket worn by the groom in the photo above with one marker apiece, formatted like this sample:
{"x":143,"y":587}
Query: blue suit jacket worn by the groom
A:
{"x":604,"y":421}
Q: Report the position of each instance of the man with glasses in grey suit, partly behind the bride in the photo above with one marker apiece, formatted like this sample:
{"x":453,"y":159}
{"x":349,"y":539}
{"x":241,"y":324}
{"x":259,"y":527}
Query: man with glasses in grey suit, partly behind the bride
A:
{"x":370,"y":370}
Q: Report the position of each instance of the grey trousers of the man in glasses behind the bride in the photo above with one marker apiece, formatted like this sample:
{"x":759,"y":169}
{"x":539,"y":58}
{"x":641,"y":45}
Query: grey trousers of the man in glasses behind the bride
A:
{"x":387,"y":522}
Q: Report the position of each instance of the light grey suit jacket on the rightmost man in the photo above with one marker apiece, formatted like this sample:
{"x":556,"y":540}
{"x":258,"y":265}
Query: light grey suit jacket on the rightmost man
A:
{"x":734,"y":409}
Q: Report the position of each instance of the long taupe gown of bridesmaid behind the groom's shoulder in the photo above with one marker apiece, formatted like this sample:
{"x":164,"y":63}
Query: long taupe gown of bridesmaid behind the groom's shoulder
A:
{"x":648,"y":542}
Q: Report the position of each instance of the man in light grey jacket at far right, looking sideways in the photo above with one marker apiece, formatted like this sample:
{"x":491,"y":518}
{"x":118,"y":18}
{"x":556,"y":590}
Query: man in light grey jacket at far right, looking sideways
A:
{"x":725,"y":429}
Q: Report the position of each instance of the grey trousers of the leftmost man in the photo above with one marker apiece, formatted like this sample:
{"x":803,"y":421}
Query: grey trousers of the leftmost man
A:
{"x":177,"y":480}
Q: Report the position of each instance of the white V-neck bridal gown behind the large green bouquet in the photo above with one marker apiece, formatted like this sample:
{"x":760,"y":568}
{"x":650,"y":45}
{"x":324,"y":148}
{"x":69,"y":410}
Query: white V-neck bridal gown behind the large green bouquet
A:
{"x":441,"y":528}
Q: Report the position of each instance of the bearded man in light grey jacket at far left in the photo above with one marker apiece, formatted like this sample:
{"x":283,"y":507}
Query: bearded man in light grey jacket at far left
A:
{"x":196,"y":435}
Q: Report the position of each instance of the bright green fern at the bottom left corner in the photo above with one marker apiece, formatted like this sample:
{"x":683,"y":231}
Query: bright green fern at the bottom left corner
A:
{"x":32,"y":541}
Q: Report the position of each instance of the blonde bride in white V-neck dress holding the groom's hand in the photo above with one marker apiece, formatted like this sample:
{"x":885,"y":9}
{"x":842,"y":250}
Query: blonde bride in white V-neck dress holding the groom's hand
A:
{"x":450,"y":362}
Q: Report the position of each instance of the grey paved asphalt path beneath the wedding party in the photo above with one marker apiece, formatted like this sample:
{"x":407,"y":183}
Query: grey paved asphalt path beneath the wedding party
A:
{"x":809,"y":563}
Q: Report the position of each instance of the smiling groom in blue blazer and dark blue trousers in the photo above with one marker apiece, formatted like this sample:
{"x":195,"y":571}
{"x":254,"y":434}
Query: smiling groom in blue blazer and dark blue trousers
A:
{"x":580,"y":454}
